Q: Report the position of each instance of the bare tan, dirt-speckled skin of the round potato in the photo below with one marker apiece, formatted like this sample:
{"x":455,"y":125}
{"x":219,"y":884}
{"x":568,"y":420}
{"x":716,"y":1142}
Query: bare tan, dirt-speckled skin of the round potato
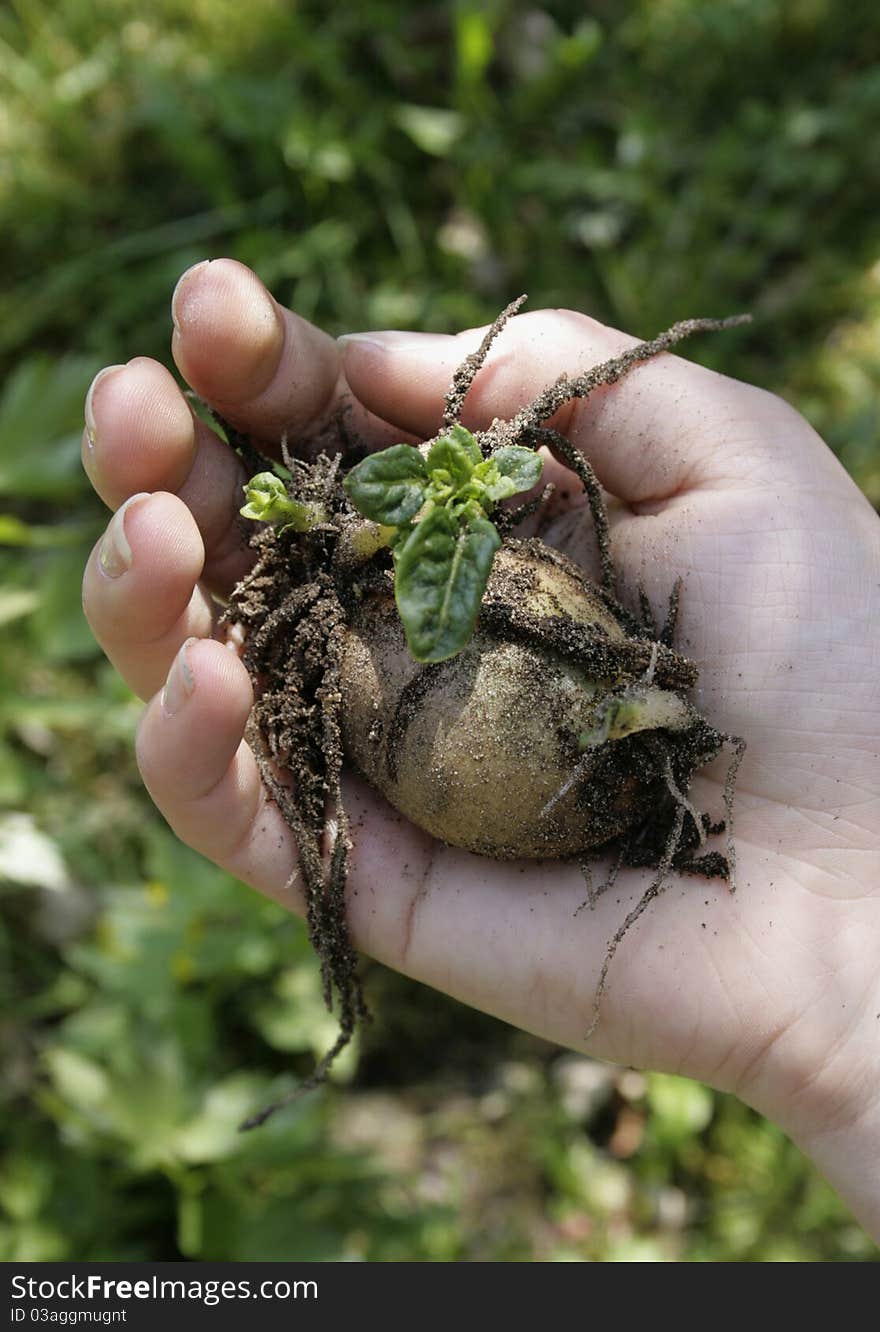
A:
{"x":475,"y":748}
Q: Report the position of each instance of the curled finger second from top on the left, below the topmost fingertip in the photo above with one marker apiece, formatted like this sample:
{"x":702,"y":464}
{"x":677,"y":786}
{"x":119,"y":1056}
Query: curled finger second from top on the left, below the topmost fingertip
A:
{"x":142,"y":436}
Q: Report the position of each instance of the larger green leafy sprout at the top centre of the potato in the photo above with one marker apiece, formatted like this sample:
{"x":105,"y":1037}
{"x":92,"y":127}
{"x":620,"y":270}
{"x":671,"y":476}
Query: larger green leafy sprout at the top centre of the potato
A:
{"x":436,"y":508}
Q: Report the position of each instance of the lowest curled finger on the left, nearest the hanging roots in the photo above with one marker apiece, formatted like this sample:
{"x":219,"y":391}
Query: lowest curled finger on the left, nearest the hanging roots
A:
{"x":203,"y":776}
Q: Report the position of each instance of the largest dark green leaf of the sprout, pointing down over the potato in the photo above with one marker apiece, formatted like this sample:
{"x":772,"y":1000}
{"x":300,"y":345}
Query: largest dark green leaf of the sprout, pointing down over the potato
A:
{"x":441,"y":575}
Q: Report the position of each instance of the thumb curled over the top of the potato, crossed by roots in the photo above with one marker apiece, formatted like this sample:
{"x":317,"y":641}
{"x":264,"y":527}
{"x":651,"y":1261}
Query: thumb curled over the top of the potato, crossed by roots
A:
{"x":668,"y":427}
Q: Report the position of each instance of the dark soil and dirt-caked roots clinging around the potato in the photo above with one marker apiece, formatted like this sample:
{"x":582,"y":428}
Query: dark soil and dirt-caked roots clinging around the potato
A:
{"x":296,"y":605}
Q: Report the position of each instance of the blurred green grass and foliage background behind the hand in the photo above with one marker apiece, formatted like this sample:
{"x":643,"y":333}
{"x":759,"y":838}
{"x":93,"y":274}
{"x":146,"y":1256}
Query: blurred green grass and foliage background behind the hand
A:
{"x":380,"y":166}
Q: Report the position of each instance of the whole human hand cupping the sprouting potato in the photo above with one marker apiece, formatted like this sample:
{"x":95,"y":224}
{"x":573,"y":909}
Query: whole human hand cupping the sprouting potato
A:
{"x":771,"y":993}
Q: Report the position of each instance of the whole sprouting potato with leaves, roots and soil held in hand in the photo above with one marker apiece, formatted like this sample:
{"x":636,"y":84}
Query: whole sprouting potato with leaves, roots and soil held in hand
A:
{"x":493,"y":693}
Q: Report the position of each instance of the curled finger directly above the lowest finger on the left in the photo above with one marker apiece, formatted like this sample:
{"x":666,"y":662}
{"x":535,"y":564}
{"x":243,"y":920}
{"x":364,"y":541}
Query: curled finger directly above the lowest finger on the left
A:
{"x":140,"y":591}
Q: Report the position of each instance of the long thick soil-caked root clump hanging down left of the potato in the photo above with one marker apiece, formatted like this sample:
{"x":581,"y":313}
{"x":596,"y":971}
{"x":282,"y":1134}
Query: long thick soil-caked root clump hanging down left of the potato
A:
{"x":294,"y":627}
